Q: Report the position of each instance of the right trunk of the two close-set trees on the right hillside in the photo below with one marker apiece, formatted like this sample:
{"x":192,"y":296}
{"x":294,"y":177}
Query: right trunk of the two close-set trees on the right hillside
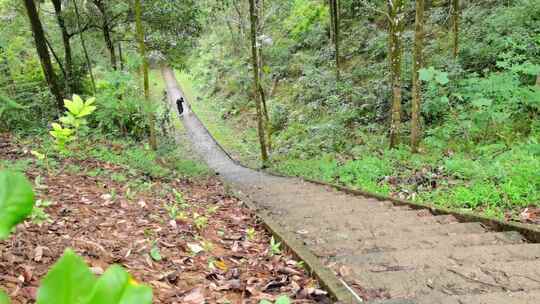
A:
{"x":418,"y":62}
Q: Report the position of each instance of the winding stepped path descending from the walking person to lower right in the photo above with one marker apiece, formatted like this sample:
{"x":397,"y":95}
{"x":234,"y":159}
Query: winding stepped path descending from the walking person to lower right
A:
{"x":388,"y":254}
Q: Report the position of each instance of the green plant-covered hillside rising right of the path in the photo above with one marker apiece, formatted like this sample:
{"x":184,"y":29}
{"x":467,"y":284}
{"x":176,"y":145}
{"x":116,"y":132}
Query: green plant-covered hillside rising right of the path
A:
{"x":479,"y":110}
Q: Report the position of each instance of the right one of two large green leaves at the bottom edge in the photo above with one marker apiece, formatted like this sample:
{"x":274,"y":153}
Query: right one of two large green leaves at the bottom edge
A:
{"x":117,"y":287}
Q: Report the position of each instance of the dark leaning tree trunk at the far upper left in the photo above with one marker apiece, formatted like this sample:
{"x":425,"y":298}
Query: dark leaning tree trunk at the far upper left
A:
{"x":41,"y":47}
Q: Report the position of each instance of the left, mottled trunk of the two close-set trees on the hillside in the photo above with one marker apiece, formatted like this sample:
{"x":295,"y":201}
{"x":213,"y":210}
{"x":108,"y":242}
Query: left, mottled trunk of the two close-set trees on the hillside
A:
{"x":395,"y":8}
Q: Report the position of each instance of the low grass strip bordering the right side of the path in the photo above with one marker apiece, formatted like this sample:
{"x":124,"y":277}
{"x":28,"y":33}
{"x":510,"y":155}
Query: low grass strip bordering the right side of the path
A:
{"x":493,"y":181}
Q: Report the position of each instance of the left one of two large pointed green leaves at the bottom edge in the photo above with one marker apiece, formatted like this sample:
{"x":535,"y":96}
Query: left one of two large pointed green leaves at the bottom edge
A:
{"x":69,"y":281}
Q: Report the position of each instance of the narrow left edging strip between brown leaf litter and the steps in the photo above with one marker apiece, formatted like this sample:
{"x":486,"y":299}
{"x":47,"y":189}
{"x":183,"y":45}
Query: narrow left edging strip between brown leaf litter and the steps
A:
{"x":326,"y":277}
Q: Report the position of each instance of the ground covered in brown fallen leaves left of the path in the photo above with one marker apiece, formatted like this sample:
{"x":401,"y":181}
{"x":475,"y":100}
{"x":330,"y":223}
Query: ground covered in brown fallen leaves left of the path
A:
{"x":184,"y":236}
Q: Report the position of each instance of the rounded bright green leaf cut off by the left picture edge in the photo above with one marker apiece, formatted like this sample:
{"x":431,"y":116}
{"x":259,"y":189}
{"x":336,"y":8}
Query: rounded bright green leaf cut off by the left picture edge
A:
{"x":16,"y":200}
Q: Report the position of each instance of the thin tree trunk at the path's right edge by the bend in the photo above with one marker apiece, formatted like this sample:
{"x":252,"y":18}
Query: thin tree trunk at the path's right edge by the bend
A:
{"x":256,"y":85}
